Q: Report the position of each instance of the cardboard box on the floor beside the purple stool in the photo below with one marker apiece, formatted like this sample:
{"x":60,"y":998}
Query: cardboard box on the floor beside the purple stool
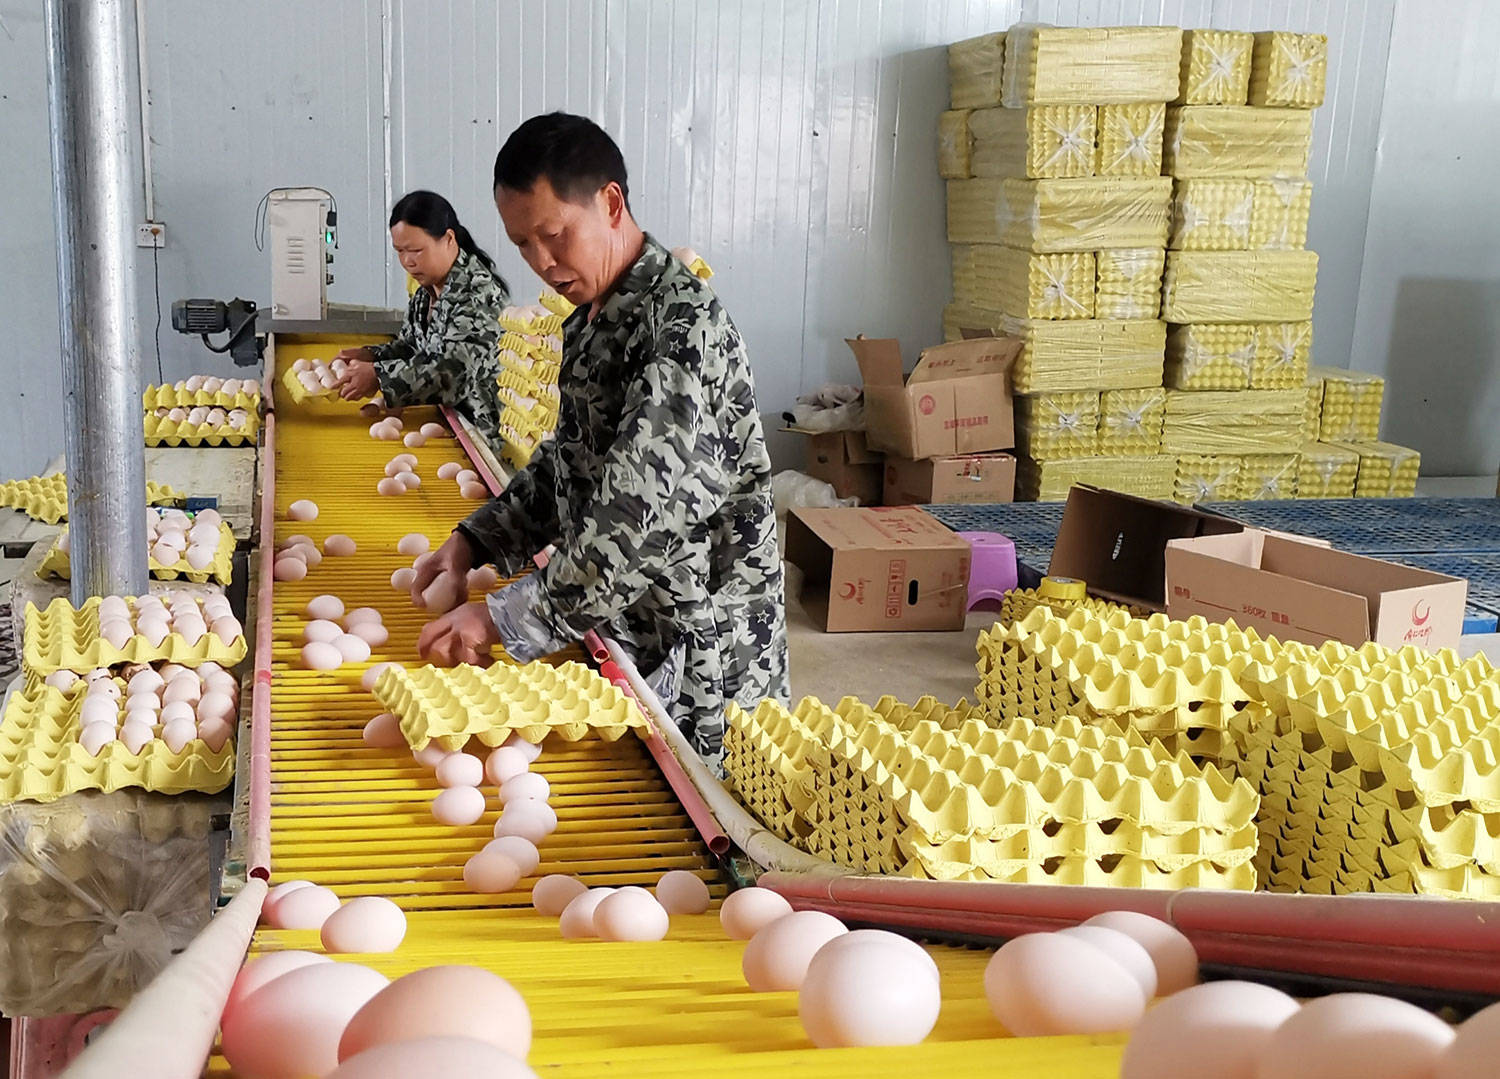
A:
{"x":880,"y":570}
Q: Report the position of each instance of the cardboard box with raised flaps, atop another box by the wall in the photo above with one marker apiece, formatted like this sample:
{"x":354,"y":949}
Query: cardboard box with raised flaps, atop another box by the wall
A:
{"x":958,"y":398}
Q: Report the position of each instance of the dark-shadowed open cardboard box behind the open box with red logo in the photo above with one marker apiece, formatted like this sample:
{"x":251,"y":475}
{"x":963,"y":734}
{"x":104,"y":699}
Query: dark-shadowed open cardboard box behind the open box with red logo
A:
{"x":1118,"y":544}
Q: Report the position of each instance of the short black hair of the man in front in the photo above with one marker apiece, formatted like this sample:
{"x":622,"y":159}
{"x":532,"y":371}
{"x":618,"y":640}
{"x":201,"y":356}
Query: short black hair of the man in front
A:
{"x":571,"y":152}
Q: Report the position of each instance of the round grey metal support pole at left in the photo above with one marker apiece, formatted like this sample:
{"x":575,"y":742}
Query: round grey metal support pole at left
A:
{"x":91,"y":95}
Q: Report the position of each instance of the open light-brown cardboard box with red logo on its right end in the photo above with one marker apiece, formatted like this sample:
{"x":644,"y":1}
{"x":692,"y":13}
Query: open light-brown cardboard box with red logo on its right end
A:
{"x":1301,"y":591}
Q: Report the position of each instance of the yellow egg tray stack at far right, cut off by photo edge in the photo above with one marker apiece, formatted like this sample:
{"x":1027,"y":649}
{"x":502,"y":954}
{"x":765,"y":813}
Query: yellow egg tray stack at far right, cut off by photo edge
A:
{"x":1378,"y":772}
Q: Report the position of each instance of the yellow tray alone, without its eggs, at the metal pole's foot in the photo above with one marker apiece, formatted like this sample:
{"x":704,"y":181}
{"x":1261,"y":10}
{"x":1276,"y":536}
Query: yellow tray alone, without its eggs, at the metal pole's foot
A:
{"x":67,"y":639}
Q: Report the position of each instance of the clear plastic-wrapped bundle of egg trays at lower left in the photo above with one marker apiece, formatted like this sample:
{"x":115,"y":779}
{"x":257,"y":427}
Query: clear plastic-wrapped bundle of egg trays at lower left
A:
{"x":97,"y":895}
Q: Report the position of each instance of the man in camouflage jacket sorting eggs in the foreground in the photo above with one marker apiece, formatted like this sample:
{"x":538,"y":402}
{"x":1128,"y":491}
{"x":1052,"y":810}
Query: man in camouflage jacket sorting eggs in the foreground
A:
{"x":656,"y":488}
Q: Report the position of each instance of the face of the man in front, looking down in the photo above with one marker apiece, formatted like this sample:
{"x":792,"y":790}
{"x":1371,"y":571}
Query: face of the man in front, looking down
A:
{"x":569,"y":244}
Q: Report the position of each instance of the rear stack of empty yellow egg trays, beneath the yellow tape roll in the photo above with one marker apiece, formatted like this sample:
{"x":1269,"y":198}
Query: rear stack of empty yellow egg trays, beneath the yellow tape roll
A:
{"x":1169,"y":681}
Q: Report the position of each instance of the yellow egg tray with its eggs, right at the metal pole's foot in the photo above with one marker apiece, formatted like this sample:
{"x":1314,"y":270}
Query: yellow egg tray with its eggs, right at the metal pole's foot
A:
{"x":178,"y":628}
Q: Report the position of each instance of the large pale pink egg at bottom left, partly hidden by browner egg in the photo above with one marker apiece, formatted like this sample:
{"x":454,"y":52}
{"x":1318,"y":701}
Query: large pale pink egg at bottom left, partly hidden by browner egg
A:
{"x":292,"y":1026}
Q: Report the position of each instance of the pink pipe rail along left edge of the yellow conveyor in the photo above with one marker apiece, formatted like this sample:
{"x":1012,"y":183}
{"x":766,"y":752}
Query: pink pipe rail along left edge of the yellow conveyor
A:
{"x":259,"y":856}
